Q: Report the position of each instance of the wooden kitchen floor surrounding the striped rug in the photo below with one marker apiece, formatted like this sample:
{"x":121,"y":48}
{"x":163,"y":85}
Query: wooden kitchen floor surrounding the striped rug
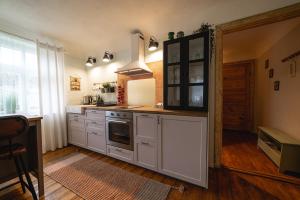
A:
{"x":223,"y":183}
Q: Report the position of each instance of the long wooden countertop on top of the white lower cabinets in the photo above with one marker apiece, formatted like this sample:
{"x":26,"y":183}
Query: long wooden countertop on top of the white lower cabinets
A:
{"x":148,"y":109}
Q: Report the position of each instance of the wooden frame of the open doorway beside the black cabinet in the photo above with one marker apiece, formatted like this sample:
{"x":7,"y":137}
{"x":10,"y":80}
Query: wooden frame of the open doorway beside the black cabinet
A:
{"x":269,"y":17}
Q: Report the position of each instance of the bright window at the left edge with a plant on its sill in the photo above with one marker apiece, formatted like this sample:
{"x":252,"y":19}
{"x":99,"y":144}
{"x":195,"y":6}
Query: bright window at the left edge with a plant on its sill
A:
{"x":19,"y":92}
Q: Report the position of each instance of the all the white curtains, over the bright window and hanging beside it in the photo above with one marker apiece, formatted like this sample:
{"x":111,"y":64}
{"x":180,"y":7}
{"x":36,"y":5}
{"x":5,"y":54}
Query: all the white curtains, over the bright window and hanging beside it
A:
{"x":31,"y":83}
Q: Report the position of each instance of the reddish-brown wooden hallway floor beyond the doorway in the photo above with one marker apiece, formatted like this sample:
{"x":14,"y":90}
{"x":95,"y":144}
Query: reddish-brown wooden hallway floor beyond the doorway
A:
{"x":240,"y":152}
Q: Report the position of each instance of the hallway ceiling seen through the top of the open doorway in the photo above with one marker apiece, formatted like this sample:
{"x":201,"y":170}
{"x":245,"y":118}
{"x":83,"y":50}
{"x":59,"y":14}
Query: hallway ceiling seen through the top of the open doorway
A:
{"x":252,"y":43}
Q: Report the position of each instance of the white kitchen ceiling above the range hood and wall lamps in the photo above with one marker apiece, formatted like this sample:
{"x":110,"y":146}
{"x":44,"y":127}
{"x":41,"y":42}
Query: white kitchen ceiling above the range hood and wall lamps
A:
{"x":89,"y":27}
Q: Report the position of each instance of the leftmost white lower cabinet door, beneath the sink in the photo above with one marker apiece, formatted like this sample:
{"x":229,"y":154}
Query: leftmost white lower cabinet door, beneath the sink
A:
{"x":76,"y":130}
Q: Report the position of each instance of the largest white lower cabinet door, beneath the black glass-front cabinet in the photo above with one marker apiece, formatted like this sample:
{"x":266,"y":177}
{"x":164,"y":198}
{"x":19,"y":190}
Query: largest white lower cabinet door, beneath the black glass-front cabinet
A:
{"x":183,"y":148}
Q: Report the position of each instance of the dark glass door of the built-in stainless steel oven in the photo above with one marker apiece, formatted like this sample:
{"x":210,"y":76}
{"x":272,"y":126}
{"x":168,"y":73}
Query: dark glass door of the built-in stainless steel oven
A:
{"x":119,"y":133}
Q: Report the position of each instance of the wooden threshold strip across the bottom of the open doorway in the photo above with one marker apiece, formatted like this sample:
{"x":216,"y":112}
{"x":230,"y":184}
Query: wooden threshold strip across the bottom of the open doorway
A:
{"x":285,"y":179}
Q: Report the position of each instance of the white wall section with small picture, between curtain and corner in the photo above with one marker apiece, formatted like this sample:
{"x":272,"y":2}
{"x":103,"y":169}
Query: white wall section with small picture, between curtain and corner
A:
{"x":75,"y":67}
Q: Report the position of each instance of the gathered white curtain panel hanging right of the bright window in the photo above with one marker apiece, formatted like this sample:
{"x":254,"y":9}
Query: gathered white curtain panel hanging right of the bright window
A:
{"x":51,"y":81}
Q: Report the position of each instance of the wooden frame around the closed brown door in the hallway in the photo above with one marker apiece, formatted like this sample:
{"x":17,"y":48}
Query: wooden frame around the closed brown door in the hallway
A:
{"x":251,"y":87}
